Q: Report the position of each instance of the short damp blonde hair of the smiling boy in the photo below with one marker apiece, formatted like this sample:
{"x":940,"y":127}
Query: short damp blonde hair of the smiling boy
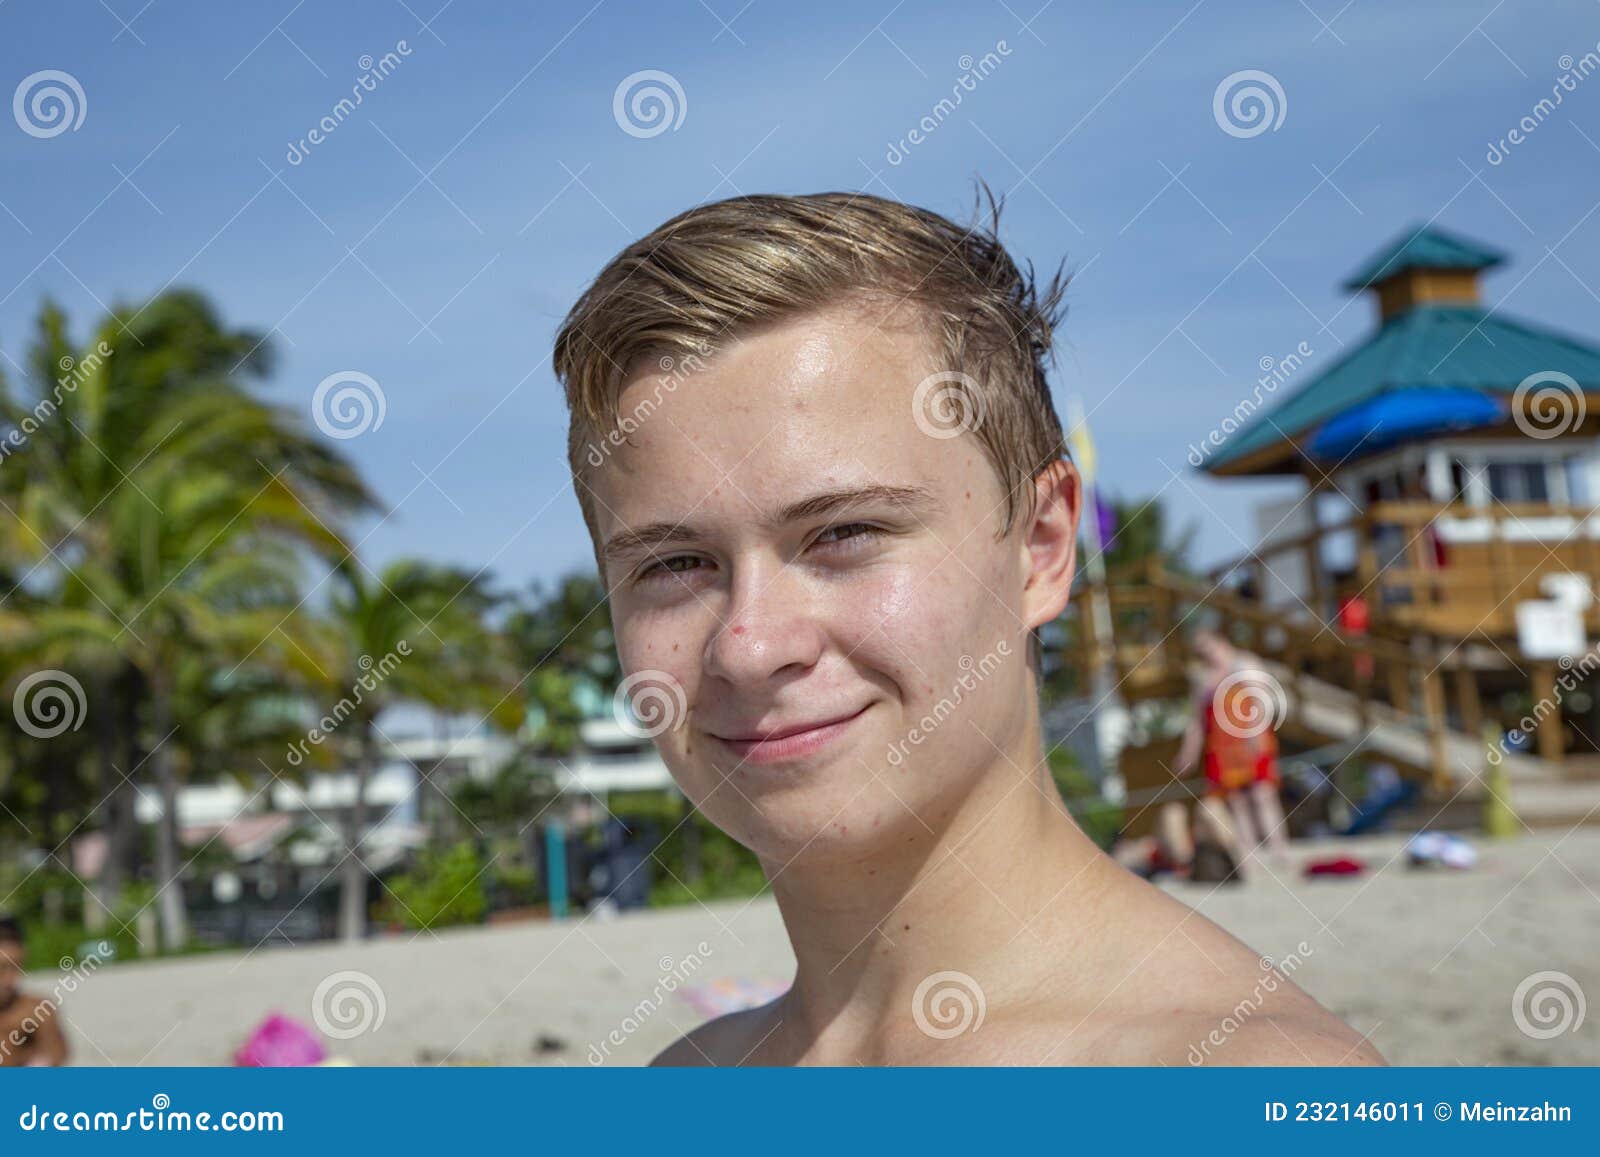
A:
{"x":710,"y":274}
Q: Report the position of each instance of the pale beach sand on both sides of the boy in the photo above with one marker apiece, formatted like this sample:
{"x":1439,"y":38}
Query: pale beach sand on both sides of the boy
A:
{"x":1423,"y":963}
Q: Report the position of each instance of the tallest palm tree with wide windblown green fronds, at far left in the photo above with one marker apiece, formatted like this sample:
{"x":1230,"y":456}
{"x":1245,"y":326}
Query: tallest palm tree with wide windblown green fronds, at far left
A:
{"x":169,"y":510}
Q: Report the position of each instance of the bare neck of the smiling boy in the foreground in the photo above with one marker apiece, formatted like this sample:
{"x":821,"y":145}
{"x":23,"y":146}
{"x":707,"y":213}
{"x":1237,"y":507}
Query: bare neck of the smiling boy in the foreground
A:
{"x":970,"y":897}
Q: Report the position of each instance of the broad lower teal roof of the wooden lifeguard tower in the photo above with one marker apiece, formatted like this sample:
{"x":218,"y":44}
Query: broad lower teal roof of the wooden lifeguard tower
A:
{"x":1428,"y":346}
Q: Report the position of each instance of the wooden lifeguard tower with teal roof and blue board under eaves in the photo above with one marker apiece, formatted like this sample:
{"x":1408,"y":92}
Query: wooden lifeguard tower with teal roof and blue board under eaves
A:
{"x":1452,"y":479}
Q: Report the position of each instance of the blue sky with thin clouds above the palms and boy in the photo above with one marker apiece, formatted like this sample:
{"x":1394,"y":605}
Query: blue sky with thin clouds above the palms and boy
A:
{"x":438,"y":236}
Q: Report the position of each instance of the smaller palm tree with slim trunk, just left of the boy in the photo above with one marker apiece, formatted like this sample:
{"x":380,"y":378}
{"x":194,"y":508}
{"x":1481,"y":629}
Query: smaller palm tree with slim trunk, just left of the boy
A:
{"x":414,"y":633}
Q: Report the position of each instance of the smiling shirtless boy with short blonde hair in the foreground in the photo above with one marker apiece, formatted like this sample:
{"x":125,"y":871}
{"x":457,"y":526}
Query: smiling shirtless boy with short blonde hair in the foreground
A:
{"x":828,"y":490}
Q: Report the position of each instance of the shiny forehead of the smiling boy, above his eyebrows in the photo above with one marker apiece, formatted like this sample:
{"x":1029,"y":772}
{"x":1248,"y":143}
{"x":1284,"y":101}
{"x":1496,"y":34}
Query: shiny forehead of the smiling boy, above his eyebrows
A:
{"x":825,"y":401}
